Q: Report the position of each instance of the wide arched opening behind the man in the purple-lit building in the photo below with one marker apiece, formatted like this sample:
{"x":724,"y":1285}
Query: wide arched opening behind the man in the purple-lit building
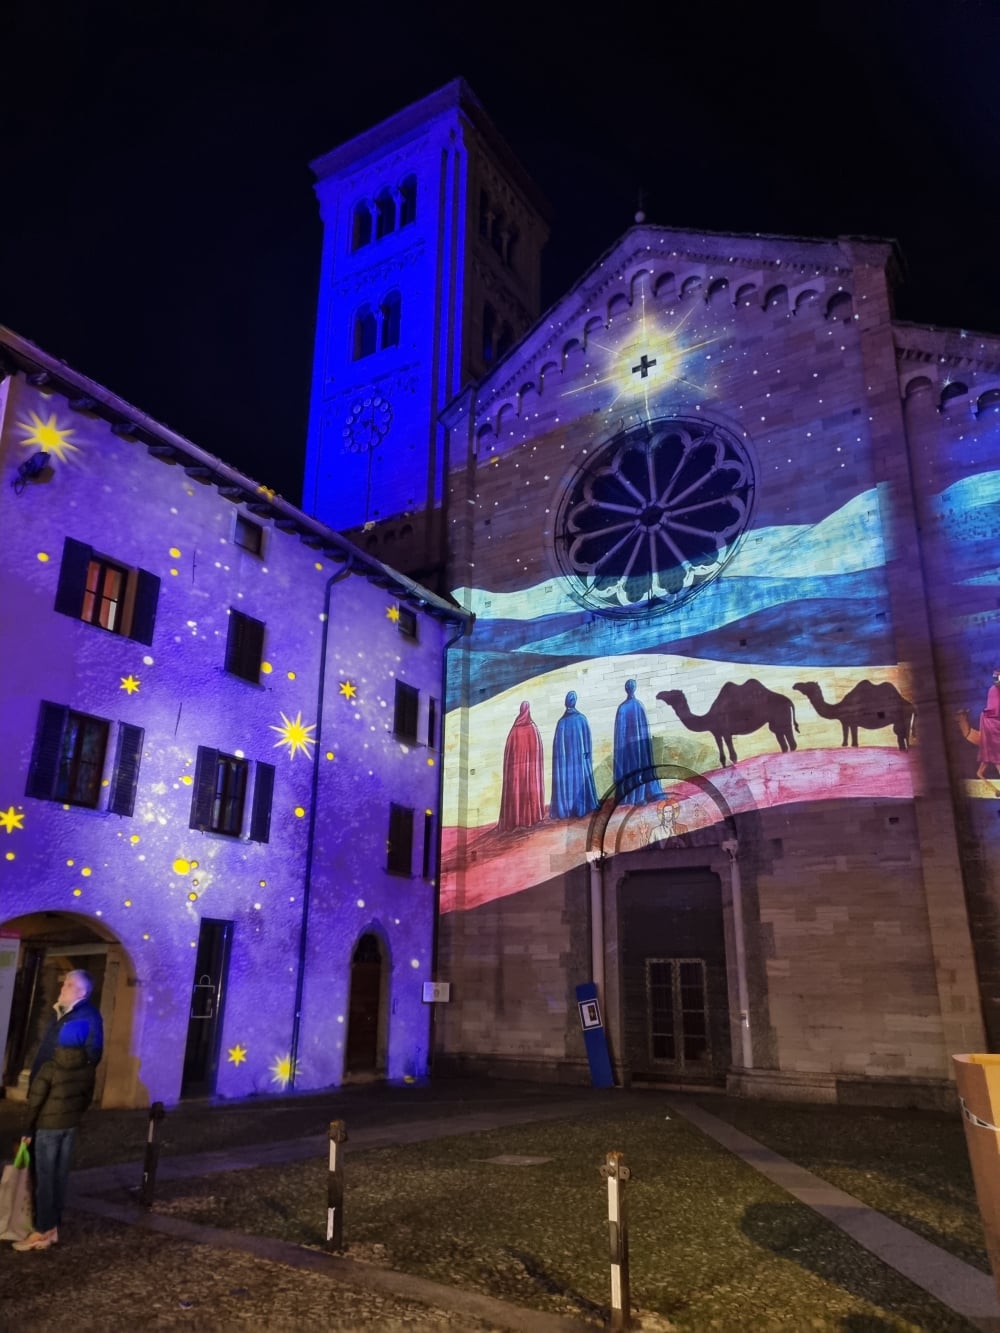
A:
{"x":50,"y":944}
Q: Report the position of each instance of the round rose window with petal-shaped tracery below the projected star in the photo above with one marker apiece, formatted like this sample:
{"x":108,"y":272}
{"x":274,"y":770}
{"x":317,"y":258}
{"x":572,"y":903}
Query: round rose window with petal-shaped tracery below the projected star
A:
{"x":655,"y":515}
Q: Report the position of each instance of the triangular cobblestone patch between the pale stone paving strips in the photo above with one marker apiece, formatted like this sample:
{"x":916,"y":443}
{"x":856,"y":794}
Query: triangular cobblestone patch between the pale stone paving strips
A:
{"x":714,"y":1246}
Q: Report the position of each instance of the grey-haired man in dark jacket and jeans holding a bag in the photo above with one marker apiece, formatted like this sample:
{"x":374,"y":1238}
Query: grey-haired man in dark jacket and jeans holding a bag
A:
{"x":59,"y":1092}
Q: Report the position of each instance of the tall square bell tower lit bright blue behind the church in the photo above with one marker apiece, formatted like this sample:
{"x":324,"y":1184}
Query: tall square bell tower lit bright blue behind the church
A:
{"x":431,"y":271}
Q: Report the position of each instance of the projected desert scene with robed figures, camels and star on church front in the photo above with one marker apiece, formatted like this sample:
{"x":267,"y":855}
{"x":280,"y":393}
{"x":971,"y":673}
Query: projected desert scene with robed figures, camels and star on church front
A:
{"x":693,"y":533}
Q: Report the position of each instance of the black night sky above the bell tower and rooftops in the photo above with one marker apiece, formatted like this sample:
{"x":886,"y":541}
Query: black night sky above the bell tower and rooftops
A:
{"x":161,"y":234}
